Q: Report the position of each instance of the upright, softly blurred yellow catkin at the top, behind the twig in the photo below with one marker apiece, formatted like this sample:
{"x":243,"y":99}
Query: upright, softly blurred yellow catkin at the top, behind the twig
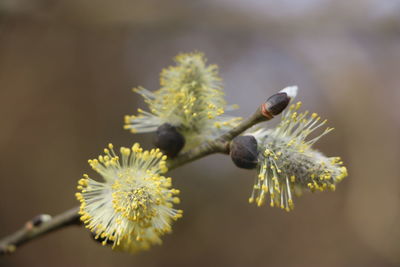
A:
{"x":190,"y":98}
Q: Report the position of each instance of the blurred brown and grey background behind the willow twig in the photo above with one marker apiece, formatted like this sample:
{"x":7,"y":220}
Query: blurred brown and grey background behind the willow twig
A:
{"x":66,"y":73}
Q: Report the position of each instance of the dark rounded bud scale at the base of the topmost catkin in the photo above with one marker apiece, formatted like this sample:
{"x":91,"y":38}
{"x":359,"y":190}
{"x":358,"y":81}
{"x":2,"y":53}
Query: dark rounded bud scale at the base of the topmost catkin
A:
{"x":169,"y":140}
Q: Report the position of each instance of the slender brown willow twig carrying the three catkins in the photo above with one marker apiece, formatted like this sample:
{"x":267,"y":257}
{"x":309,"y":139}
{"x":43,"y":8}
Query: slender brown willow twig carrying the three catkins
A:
{"x":220,"y":145}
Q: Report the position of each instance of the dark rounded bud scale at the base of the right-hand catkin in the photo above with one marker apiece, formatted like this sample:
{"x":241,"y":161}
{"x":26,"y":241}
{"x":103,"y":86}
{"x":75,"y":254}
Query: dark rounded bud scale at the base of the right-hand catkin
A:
{"x":244,"y":152}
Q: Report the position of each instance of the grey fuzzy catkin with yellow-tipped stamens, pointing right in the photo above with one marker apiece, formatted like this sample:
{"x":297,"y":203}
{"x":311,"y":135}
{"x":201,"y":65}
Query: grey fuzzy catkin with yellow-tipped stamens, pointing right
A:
{"x":288,"y":164}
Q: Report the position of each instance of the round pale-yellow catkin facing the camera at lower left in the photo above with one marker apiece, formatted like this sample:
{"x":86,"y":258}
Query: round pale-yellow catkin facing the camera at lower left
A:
{"x":134,"y":206}
